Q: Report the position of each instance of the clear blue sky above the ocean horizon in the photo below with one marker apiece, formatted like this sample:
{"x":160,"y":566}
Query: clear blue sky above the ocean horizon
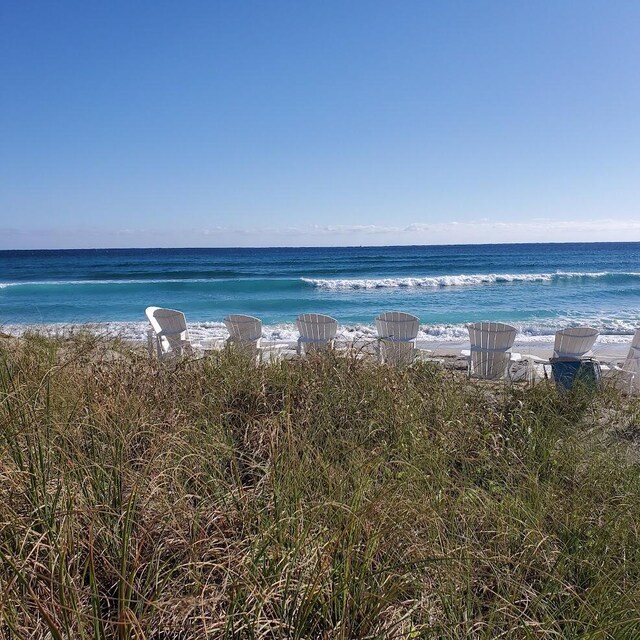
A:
{"x":326,"y":122}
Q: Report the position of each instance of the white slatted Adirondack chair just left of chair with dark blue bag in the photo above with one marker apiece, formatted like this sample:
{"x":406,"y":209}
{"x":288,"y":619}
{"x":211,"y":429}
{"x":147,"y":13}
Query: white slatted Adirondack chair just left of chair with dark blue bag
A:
{"x":490,"y":356}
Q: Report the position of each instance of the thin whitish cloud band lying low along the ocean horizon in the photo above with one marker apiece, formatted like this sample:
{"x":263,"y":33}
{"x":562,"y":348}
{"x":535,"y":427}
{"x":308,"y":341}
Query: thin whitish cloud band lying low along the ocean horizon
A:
{"x":454,"y":232}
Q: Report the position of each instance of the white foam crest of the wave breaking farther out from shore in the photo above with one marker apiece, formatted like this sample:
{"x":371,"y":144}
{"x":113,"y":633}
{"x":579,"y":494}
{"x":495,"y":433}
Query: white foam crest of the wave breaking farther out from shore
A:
{"x":350,"y":284}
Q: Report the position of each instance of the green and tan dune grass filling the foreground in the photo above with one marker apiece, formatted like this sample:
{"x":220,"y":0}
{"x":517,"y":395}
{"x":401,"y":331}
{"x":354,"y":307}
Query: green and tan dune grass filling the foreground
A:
{"x":320,"y":498}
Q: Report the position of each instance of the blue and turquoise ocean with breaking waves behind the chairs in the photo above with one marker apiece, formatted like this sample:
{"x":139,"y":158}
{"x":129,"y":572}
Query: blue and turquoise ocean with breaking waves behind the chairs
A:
{"x":538,"y":288}
